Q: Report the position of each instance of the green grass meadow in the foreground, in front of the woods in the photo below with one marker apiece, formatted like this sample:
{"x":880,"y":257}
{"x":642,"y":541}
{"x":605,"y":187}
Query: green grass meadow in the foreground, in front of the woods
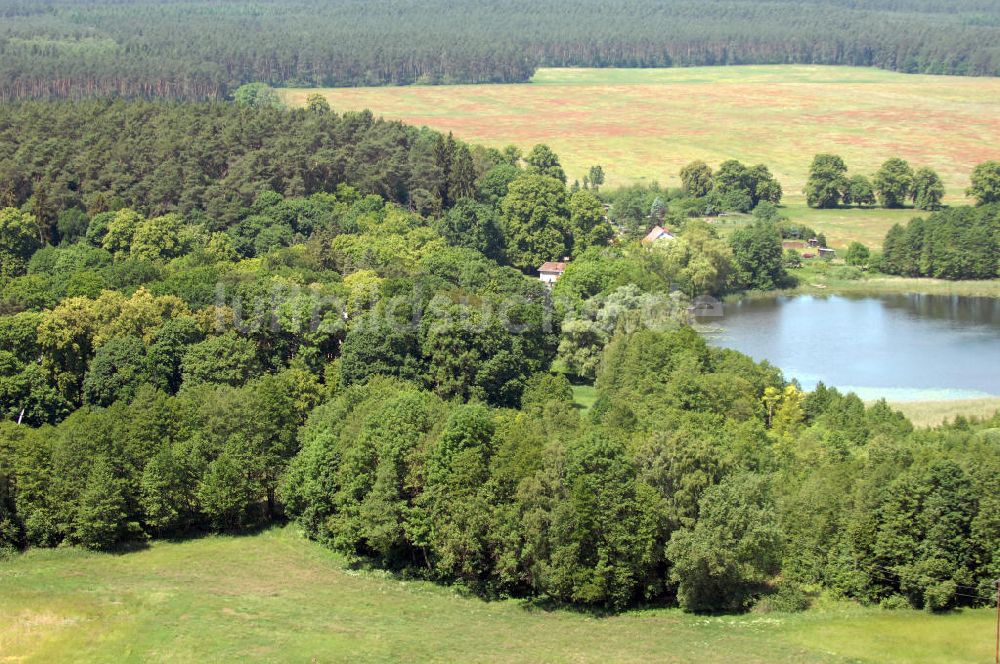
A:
{"x":277,"y":597}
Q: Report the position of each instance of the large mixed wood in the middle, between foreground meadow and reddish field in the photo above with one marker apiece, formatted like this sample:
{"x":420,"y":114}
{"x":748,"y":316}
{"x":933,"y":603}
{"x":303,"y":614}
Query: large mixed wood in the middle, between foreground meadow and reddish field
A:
{"x":336,"y":320}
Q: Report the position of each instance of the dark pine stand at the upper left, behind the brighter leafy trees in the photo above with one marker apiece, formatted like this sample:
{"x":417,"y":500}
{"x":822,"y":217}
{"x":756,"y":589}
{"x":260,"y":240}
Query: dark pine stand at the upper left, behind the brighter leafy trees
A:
{"x":159,"y":158}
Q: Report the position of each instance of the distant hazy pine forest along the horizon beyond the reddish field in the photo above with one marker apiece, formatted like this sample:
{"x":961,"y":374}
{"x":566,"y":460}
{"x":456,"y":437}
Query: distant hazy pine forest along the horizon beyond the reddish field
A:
{"x":204,"y":50}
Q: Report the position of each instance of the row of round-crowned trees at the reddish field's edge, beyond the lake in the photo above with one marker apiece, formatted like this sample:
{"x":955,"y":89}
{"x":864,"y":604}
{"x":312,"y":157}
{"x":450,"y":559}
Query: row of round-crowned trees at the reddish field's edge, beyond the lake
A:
{"x":895,"y":183}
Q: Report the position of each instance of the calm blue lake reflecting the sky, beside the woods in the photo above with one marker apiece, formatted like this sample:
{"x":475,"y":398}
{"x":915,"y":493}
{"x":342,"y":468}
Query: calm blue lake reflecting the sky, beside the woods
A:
{"x":901,"y":347}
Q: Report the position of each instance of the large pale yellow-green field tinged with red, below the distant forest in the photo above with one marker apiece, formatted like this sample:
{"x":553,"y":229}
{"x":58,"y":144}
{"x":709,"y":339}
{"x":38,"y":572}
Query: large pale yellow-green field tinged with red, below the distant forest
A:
{"x":645,"y":124}
